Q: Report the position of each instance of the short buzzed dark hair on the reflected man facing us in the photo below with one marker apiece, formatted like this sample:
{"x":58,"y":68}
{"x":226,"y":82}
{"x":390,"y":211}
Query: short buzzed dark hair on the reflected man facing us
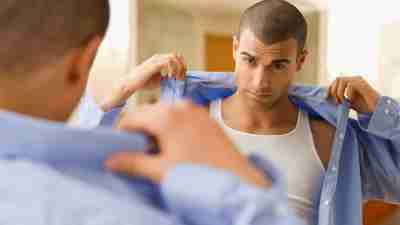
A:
{"x":274,"y":21}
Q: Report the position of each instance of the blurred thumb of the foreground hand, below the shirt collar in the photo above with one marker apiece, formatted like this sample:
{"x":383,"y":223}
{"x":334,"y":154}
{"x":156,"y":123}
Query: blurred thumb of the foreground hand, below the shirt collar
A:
{"x":136,"y":164}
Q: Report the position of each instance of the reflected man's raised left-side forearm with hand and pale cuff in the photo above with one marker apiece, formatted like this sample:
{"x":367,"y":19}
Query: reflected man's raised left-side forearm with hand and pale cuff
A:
{"x":147,"y":75}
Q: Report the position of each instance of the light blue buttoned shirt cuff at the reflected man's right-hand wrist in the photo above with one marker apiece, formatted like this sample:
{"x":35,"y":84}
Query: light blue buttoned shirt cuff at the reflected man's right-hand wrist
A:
{"x":384,"y":119}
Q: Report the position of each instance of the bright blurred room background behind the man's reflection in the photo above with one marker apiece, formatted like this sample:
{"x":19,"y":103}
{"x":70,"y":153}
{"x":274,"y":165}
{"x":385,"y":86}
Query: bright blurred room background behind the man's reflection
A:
{"x":351,"y":37}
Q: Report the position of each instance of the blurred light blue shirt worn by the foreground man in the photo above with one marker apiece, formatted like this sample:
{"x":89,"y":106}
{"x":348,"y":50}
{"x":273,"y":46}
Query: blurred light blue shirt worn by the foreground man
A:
{"x":53,"y":175}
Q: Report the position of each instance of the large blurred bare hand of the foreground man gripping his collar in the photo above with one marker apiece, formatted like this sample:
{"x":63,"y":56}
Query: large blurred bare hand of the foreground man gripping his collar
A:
{"x":184,"y":134}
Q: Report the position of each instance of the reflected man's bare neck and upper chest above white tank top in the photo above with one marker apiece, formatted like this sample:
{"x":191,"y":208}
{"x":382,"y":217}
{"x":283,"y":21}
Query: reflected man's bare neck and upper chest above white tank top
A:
{"x":256,"y":118}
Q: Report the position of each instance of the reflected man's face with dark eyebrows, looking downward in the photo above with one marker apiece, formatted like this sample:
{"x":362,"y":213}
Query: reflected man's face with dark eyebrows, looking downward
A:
{"x":265,"y":72}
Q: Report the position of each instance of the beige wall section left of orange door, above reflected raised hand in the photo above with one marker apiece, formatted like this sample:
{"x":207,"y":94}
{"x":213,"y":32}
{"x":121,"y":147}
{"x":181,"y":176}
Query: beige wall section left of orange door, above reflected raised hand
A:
{"x":164,"y":29}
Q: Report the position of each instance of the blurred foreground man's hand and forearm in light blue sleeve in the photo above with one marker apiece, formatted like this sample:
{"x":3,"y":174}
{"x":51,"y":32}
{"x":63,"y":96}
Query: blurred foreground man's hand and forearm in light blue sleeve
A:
{"x":204,"y":179}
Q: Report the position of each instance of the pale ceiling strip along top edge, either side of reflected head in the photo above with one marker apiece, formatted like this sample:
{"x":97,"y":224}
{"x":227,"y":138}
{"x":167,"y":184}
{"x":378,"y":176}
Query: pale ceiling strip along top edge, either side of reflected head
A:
{"x":229,"y":6}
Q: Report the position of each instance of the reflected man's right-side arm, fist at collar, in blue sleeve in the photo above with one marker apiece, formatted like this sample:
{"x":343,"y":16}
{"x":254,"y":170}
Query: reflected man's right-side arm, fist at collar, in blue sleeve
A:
{"x":377,"y":135}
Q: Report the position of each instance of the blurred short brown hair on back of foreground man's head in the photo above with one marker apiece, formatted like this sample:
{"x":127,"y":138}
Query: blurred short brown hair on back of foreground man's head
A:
{"x":34,"y":33}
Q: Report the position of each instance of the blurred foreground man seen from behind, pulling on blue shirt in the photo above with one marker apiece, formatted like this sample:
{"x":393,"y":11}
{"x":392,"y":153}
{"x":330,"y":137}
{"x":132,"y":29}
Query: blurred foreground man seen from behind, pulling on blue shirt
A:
{"x":52,"y":174}
